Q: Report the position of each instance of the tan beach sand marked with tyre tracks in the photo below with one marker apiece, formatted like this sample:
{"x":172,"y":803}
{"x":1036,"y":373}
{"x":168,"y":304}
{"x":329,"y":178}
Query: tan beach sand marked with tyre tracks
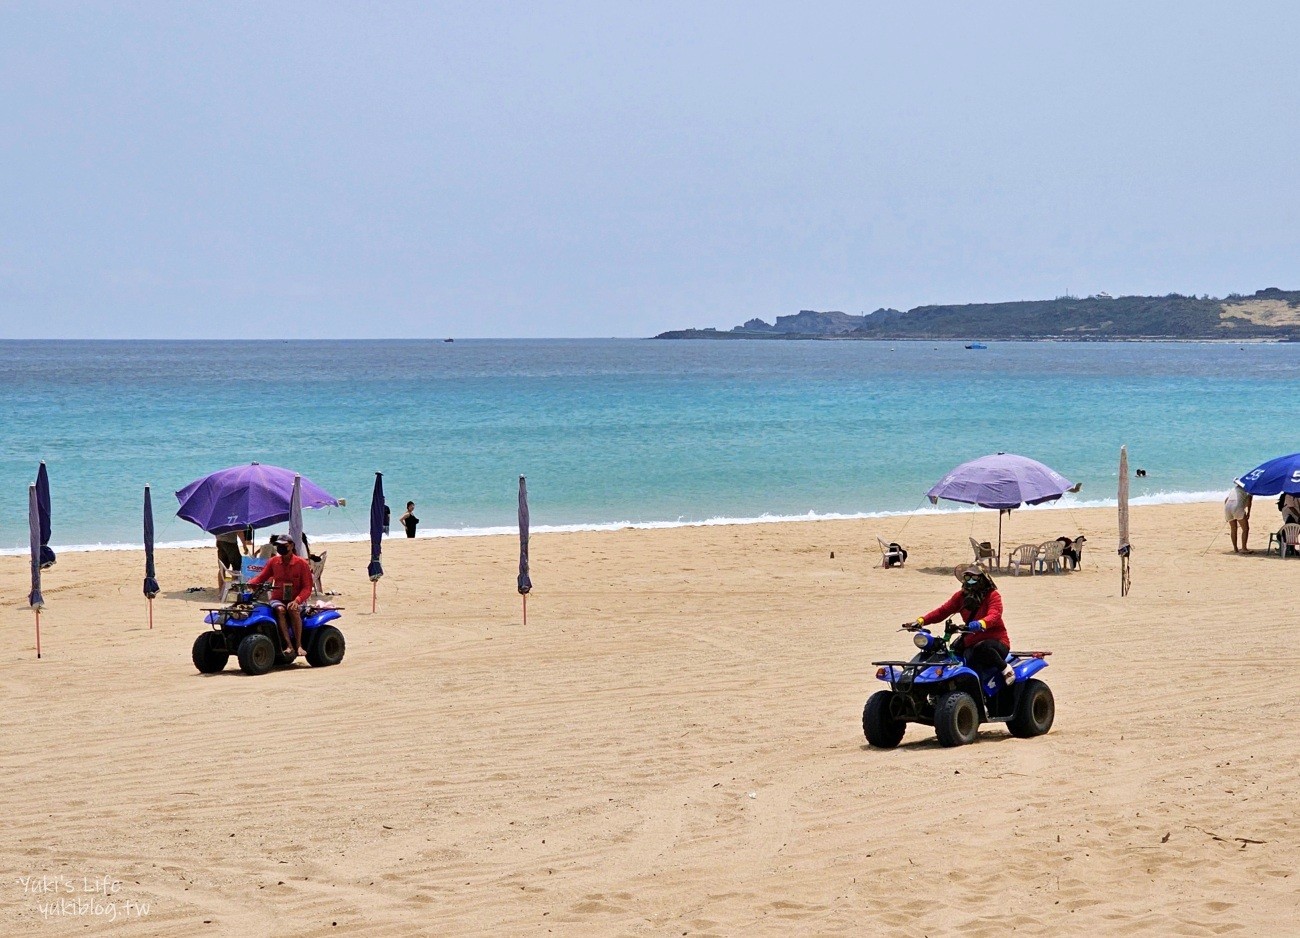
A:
{"x":671,"y":746}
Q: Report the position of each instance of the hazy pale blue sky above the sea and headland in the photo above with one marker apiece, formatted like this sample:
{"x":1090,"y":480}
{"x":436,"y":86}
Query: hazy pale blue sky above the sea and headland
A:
{"x":618,"y":170}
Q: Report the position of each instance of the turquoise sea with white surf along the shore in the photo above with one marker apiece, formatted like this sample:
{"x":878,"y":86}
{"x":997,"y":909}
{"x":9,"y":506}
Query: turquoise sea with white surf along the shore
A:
{"x":616,"y":433}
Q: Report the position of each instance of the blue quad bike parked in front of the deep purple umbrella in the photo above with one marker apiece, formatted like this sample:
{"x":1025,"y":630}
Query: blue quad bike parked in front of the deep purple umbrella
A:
{"x":249,"y":631}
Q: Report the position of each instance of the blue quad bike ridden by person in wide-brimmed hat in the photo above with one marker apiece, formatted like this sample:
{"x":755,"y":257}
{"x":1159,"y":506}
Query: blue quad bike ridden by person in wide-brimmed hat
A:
{"x":938,"y":689}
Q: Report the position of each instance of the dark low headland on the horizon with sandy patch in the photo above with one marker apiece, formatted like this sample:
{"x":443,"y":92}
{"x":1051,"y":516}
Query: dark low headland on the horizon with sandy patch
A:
{"x":1271,"y":314}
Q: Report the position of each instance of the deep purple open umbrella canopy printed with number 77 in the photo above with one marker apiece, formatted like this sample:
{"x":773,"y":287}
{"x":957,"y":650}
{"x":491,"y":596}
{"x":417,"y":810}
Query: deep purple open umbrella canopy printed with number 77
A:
{"x":254,"y":494}
